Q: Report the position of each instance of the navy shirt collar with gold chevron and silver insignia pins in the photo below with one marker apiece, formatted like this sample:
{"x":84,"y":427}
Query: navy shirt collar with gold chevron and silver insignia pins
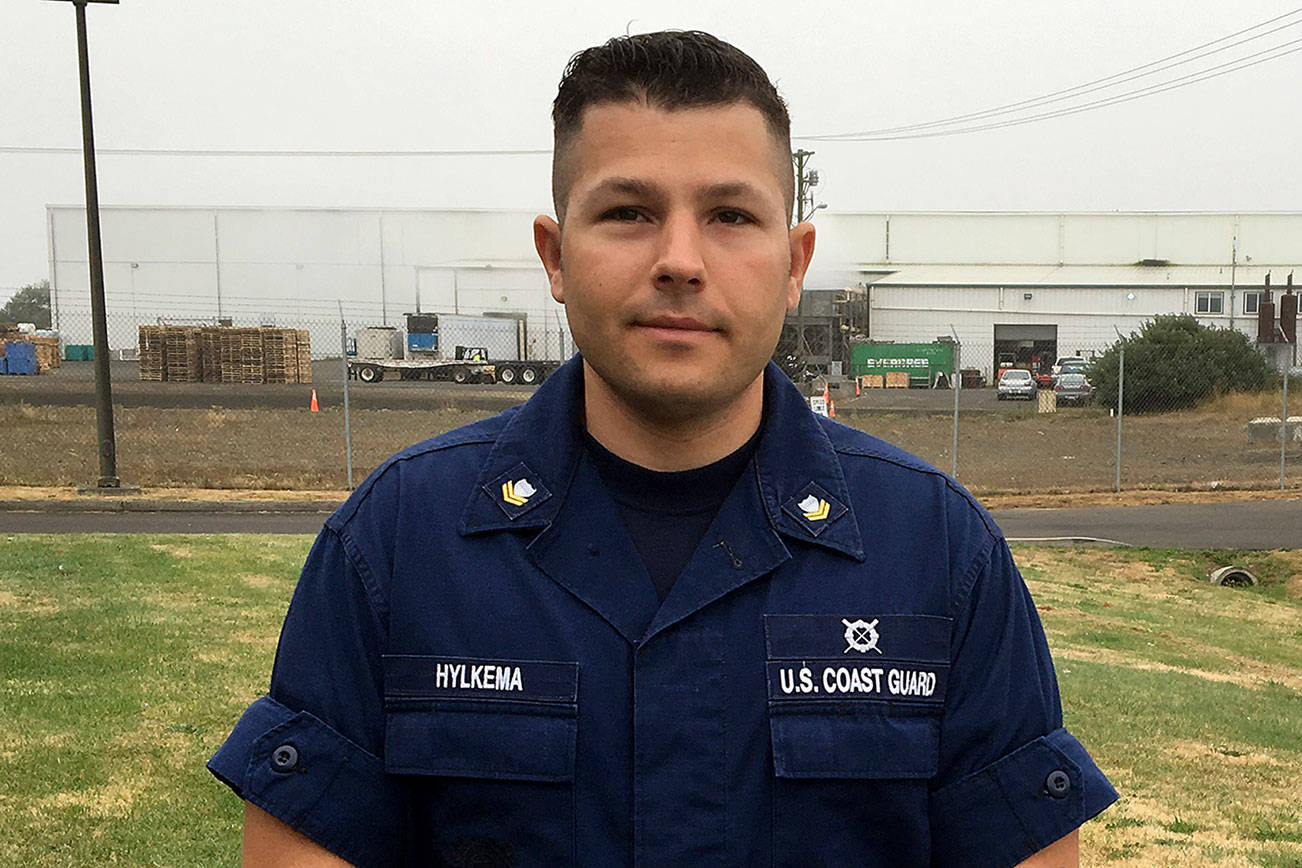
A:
{"x":528,"y":476}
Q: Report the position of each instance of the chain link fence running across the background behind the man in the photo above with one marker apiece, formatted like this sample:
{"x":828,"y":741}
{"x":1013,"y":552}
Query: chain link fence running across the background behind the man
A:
{"x":213,"y":412}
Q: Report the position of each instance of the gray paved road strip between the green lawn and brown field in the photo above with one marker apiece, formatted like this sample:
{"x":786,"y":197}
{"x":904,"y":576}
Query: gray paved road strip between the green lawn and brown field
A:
{"x":1266,"y":525}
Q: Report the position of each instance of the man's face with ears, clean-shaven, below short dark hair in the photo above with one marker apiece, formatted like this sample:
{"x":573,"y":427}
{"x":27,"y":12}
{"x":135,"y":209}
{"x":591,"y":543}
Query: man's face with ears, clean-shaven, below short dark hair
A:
{"x":675,"y":262}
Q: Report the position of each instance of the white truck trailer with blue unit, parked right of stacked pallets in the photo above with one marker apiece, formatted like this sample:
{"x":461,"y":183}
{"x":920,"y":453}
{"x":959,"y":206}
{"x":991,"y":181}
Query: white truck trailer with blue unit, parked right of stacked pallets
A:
{"x":450,"y":347}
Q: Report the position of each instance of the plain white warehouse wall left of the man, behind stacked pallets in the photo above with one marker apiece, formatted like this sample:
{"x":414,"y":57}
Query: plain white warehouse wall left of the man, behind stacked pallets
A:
{"x":292,"y":267}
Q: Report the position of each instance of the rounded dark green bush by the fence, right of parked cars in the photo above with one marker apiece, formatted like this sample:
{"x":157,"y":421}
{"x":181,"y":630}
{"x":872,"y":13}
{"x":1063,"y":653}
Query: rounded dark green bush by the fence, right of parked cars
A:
{"x":1175,"y":362}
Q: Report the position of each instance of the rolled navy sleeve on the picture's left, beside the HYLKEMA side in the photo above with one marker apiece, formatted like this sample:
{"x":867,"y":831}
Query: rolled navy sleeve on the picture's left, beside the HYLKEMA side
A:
{"x":311,"y":753}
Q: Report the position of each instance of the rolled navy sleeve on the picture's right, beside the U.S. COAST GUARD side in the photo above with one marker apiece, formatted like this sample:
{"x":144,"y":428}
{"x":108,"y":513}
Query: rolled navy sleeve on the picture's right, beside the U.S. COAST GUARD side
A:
{"x":1012,"y":780}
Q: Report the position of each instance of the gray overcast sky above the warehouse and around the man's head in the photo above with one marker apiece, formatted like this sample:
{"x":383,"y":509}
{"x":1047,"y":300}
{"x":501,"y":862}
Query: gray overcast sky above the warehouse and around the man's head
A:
{"x":420,"y":75}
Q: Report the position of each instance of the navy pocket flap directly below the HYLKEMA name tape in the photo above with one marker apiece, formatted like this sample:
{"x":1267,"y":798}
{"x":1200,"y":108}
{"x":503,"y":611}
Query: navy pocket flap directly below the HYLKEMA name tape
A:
{"x":475,"y":742}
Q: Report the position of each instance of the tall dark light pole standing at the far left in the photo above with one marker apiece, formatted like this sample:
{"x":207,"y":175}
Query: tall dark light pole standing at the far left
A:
{"x":109,"y":480}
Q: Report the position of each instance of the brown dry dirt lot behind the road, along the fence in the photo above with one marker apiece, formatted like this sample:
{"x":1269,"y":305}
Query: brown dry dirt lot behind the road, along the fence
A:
{"x":264,"y":437}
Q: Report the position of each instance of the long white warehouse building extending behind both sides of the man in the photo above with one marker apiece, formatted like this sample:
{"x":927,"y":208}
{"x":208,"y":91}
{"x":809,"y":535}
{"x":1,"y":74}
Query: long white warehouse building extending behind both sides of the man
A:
{"x":1058,"y":284}
